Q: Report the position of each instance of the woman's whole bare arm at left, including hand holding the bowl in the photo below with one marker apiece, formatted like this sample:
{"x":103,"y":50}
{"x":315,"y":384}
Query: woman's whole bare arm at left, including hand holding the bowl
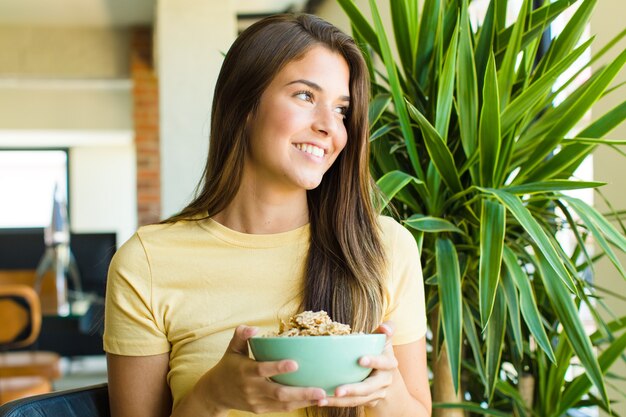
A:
{"x":138,"y":385}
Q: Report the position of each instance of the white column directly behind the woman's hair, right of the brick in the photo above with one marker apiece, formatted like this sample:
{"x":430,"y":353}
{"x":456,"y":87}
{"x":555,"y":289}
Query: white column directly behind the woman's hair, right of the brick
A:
{"x":192,"y":35}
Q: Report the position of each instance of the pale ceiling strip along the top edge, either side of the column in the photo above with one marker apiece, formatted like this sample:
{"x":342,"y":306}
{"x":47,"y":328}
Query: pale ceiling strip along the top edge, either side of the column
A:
{"x":114,"y":12}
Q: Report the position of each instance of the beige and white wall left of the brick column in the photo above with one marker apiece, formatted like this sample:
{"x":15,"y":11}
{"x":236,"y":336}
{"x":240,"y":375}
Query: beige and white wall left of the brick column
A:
{"x":70,"y":87}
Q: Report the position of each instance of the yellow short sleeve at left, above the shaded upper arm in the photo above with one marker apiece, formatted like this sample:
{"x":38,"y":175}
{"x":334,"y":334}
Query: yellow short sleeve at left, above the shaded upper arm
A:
{"x":130,"y":327}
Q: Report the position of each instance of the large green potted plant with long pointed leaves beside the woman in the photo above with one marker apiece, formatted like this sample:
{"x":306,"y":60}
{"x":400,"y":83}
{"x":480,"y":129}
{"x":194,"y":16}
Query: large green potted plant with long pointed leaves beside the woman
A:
{"x":477,"y":158}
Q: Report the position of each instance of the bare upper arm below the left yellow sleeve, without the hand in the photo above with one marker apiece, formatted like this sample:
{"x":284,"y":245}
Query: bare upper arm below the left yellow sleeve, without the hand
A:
{"x":138,"y":385}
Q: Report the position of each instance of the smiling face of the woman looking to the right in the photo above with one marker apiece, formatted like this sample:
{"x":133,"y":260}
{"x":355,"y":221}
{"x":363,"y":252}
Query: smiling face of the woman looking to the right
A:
{"x":298,"y":129}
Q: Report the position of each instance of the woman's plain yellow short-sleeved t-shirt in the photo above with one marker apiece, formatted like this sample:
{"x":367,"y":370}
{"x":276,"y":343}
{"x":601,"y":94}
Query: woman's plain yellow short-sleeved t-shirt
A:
{"x":183,"y":288}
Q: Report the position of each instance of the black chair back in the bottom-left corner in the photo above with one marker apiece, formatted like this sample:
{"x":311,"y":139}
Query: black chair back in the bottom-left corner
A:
{"x":90,"y":401}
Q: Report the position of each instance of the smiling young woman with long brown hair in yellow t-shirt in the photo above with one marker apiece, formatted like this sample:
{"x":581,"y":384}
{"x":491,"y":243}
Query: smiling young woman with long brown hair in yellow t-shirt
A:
{"x":284,"y":221}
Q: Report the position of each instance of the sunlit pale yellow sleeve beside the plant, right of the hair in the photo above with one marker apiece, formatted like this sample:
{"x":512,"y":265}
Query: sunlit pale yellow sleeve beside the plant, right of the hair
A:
{"x":406,"y":304}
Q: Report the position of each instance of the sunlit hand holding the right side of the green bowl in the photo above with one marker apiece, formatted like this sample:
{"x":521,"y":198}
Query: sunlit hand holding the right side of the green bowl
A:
{"x":374,"y":387}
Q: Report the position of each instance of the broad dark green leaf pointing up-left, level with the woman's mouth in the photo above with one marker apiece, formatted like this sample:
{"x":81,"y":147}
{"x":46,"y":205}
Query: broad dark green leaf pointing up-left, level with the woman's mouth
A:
{"x":437,"y":150}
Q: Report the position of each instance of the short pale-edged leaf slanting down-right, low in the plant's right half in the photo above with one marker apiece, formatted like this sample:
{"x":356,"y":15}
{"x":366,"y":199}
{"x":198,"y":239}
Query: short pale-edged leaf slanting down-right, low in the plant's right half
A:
{"x":528,"y":305}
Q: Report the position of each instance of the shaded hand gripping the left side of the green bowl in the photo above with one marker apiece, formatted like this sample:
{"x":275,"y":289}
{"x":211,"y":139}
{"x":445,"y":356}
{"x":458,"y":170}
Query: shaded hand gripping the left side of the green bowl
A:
{"x":240,"y":383}
